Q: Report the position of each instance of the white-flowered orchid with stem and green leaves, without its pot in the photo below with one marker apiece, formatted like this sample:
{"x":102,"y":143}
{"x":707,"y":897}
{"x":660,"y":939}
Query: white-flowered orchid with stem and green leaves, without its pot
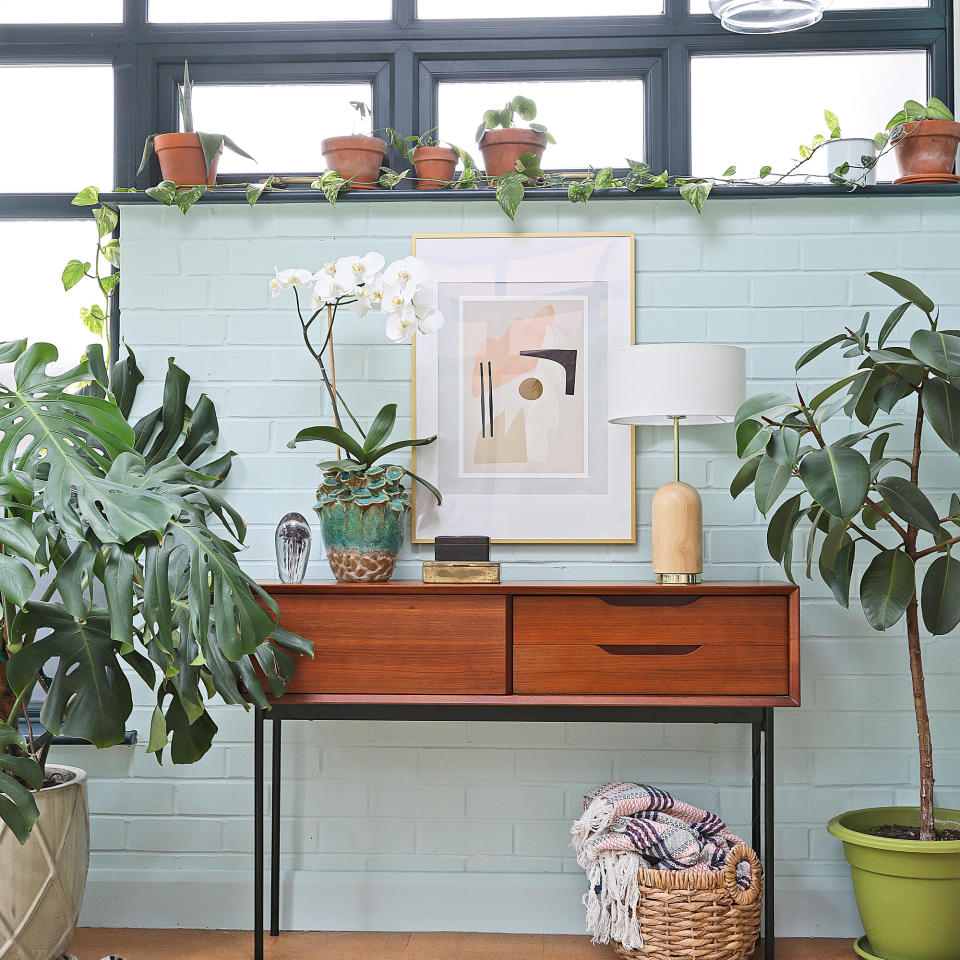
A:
{"x":400,"y":292}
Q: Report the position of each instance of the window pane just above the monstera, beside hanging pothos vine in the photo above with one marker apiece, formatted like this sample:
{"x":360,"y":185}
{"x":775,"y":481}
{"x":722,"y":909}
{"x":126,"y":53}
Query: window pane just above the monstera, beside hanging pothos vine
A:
{"x":39,"y":309}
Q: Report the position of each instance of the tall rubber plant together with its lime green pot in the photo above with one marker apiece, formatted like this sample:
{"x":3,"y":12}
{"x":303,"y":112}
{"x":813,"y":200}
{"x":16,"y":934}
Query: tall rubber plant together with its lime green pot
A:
{"x":905,"y":860}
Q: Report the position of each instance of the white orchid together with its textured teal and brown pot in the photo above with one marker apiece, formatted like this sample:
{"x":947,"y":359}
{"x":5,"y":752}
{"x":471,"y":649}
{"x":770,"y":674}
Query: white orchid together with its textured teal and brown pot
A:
{"x":361,"y":506}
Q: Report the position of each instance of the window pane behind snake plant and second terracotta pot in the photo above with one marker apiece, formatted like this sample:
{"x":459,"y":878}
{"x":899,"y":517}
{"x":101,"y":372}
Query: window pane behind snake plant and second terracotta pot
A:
{"x":282,"y":125}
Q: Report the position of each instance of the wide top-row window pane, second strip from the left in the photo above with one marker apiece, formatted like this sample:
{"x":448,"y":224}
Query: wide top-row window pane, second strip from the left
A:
{"x":255,"y":11}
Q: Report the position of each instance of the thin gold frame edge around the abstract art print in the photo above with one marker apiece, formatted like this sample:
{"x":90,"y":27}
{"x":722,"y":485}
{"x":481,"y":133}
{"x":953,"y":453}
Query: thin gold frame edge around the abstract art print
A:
{"x":631,"y":339}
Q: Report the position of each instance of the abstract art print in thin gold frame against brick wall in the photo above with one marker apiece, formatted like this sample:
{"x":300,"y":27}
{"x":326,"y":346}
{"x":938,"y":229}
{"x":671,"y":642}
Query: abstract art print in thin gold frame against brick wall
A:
{"x":514,"y":385}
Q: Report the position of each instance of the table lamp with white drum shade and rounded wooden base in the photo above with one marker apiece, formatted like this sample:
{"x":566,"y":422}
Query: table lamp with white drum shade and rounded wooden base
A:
{"x":660,"y":383}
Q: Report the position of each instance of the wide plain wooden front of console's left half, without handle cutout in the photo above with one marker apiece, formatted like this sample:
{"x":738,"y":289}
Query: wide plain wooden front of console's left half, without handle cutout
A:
{"x":399,"y":644}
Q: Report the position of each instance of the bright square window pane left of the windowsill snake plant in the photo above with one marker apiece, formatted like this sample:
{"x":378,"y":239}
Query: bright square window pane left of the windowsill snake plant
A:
{"x":59,"y":146}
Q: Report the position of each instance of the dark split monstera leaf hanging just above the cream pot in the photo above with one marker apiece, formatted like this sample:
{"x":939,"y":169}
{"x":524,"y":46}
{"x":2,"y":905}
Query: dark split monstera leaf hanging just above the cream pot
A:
{"x":89,"y":691}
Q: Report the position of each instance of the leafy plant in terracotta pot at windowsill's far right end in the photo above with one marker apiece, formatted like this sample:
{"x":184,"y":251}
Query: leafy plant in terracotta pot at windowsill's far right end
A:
{"x":925,"y":141}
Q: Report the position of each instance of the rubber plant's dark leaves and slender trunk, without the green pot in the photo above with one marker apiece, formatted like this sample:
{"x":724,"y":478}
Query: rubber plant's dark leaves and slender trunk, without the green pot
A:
{"x":856,"y":498}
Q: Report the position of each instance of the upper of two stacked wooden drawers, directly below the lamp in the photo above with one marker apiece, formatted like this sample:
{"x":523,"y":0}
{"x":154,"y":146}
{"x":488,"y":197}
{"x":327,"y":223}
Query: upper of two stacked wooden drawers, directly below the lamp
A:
{"x":652,"y":619}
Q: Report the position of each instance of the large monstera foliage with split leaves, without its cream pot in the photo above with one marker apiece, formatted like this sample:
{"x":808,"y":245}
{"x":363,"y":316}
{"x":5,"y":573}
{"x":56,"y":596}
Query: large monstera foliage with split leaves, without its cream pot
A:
{"x":109,"y":566}
